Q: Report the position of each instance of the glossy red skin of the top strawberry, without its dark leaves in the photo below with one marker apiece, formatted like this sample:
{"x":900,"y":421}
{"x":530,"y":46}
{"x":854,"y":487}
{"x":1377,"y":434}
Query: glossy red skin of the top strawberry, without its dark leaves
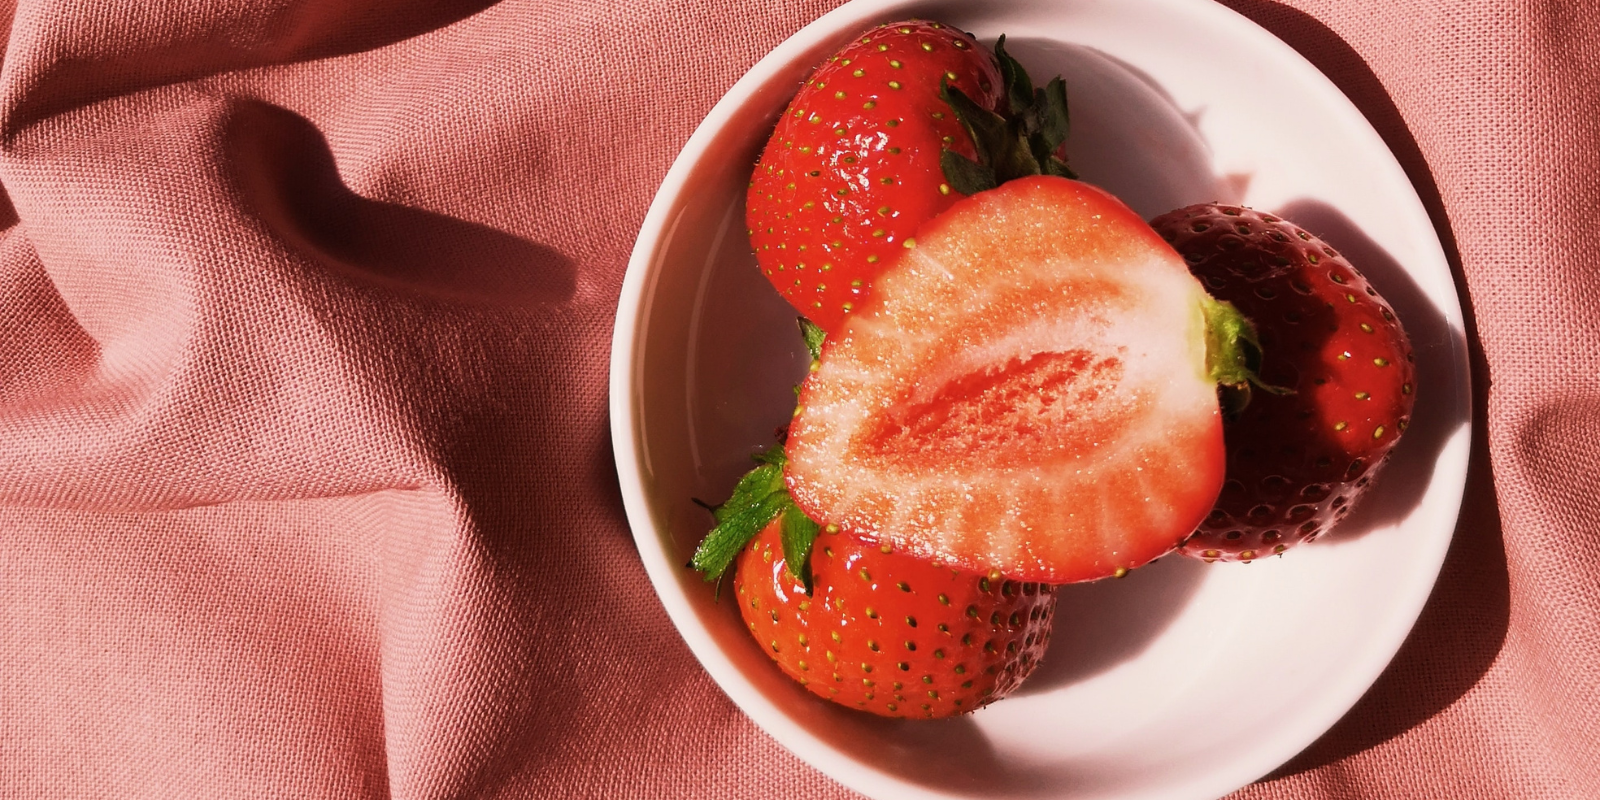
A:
{"x":852,"y":169}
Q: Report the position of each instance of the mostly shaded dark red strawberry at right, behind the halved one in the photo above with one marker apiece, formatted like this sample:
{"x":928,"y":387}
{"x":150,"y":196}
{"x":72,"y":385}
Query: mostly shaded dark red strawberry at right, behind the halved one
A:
{"x":1297,"y":462}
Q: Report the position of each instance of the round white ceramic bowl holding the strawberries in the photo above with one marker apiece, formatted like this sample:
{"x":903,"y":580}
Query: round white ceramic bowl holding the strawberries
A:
{"x":1183,"y":681}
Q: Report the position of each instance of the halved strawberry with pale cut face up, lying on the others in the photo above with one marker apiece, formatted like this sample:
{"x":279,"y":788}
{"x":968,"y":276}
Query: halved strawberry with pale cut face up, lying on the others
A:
{"x":1031,"y":391}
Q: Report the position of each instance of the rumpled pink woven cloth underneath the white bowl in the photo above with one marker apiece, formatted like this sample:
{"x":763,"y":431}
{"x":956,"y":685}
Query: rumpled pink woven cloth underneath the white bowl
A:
{"x":305,"y":473}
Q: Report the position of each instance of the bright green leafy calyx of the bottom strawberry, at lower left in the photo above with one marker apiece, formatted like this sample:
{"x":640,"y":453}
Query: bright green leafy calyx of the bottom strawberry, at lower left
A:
{"x":758,"y":500}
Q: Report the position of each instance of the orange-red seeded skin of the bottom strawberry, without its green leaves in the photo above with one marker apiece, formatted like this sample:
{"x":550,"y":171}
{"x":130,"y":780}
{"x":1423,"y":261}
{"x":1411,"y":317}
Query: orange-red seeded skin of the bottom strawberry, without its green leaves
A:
{"x":892,"y":634}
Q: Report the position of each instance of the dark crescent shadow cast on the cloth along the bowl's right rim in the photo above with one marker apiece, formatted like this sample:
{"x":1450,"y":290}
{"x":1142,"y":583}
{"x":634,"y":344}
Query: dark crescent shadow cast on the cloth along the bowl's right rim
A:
{"x":1465,"y":623}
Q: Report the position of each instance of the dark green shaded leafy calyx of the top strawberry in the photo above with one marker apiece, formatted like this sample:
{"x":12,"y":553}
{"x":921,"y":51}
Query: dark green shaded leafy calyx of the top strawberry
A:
{"x":1018,"y":142}
